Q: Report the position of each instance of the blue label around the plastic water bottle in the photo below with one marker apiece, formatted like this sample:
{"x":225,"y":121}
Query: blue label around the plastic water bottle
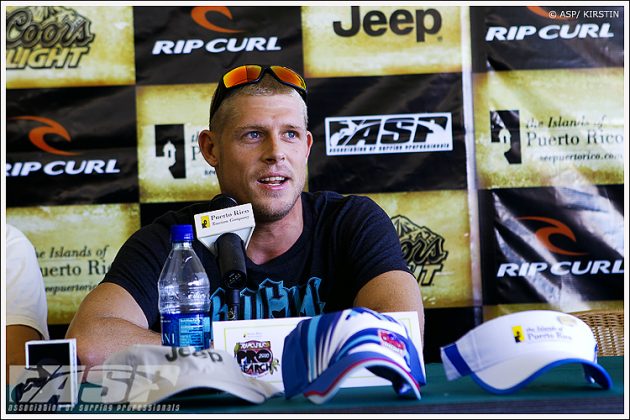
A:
{"x":180,"y":330}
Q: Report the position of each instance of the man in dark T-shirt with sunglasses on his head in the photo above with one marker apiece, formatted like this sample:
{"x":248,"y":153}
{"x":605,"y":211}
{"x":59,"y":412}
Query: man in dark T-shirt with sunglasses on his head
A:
{"x":309,"y":253}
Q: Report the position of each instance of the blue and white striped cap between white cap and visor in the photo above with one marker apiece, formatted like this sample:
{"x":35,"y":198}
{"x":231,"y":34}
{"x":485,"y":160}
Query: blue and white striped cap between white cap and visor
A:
{"x":323,"y":350}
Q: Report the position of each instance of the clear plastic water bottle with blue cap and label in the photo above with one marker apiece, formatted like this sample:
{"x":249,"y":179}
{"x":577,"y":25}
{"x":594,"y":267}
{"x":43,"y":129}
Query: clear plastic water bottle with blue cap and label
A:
{"x":184,"y":291}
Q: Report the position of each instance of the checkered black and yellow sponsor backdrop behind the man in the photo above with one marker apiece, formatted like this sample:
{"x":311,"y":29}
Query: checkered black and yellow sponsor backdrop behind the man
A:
{"x":492,"y":136}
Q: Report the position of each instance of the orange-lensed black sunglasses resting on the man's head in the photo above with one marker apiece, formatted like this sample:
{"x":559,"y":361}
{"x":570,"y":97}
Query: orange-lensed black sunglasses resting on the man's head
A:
{"x":253,"y":73}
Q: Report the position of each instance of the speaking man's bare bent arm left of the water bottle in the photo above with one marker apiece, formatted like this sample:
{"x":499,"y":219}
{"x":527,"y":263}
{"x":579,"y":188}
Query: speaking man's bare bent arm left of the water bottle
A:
{"x":108,"y":320}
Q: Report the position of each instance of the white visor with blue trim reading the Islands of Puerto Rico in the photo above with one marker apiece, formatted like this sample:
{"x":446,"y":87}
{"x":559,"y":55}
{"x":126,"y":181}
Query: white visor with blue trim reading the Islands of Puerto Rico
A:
{"x":506,"y":353}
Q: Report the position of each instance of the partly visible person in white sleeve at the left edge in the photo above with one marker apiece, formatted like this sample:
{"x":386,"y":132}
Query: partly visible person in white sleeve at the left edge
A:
{"x":27,"y":309}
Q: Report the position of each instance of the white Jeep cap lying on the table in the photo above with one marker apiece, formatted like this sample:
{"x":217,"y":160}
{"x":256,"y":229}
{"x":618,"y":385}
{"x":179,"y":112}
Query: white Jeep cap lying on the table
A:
{"x":159,"y":372}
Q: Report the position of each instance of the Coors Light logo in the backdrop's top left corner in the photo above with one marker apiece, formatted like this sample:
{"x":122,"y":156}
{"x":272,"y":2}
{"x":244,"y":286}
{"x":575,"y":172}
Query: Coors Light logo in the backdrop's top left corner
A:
{"x":45,"y":37}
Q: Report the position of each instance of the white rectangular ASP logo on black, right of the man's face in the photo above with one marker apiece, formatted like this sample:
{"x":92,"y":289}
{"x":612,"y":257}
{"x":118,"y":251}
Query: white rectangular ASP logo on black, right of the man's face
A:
{"x":380,"y":134}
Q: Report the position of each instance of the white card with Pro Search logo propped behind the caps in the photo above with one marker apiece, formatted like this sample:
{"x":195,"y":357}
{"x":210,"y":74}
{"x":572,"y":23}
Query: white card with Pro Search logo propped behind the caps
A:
{"x":257,"y":346}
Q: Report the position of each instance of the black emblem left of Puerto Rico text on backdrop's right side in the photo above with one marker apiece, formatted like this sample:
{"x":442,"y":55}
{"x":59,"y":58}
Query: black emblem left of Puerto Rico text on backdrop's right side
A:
{"x":505,"y":129}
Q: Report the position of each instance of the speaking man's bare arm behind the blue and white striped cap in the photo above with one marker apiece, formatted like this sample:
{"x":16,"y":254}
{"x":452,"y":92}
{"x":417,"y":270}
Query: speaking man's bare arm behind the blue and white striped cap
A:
{"x":394,"y":291}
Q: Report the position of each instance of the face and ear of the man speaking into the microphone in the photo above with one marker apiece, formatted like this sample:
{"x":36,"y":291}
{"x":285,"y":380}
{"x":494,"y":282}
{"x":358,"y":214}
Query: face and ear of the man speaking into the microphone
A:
{"x":260,"y":153}
